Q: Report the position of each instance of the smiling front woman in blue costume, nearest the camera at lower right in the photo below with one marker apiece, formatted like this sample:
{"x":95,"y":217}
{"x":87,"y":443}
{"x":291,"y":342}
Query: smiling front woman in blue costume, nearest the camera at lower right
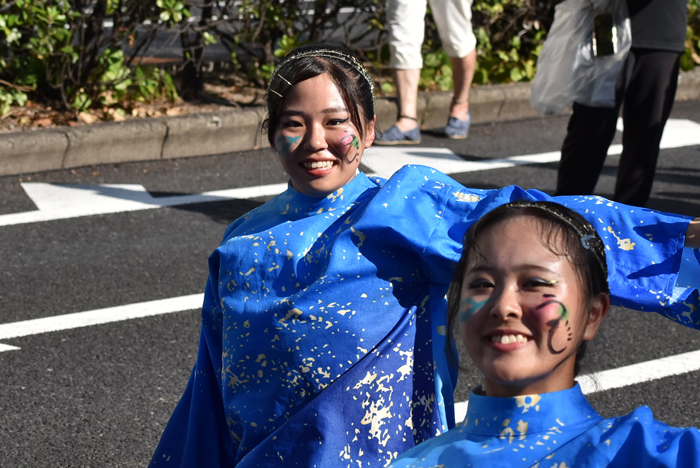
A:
{"x":529,"y":292}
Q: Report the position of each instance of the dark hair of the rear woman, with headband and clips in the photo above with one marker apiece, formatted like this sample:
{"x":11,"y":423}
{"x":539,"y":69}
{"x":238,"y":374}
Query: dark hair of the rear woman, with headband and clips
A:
{"x":344,"y":69}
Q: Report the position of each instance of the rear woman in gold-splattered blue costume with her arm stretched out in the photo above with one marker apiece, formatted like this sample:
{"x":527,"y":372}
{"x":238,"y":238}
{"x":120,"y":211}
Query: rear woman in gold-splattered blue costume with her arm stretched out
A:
{"x":323,"y":324}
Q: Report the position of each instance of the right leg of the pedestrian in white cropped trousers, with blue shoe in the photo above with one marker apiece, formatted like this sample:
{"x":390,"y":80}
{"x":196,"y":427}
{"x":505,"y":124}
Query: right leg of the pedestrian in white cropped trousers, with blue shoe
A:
{"x":453,"y":21}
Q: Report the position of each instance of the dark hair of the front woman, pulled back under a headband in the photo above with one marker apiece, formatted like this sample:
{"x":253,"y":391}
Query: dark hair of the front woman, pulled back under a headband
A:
{"x":581,"y":245}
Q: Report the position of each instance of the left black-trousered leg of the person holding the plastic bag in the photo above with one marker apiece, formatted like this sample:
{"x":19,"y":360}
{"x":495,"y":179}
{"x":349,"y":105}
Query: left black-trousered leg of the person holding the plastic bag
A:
{"x":589,"y":134}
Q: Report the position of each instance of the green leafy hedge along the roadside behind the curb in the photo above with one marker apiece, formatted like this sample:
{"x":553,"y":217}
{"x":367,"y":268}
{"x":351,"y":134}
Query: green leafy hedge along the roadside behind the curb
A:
{"x":59,"y":50}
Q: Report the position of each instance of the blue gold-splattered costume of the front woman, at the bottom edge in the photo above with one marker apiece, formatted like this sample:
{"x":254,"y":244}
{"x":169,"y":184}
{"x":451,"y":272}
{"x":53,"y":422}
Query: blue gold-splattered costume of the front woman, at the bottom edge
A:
{"x":554,"y":430}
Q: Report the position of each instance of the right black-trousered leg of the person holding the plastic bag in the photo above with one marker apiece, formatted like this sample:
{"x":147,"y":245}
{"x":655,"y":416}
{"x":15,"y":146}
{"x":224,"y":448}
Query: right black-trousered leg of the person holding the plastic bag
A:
{"x":648,"y":102}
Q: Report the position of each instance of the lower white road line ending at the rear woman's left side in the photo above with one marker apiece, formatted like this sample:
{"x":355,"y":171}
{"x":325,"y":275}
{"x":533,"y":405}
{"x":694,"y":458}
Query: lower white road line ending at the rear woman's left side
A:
{"x":97,"y":317}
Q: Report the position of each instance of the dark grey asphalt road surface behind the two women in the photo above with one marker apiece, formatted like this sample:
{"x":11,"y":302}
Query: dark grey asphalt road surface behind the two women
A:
{"x":99,"y":396}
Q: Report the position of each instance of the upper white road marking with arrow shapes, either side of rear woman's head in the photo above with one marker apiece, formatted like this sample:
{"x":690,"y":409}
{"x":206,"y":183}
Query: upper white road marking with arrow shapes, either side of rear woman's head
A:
{"x":56,"y":201}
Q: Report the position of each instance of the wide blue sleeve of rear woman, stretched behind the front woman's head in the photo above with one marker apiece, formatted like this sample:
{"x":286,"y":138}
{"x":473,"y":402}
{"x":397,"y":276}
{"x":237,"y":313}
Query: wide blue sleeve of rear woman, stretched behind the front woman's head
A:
{"x":644,"y":248}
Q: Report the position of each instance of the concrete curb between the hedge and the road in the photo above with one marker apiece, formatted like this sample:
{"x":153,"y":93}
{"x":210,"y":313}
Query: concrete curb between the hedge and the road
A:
{"x":237,"y":130}
